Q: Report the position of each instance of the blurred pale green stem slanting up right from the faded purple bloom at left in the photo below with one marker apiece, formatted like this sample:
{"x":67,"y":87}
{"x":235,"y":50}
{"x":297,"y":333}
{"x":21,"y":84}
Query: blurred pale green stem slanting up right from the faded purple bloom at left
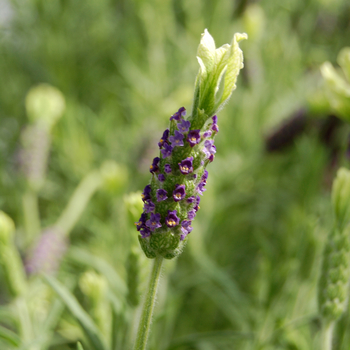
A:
{"x":78,"y":202}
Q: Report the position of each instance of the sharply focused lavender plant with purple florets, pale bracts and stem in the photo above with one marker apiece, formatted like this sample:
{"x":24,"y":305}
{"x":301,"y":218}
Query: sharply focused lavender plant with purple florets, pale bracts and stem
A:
{"x":179,"y":174}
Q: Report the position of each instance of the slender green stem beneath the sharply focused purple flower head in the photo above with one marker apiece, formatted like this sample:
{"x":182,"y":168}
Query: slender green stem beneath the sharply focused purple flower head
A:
{"x":147,"y":311}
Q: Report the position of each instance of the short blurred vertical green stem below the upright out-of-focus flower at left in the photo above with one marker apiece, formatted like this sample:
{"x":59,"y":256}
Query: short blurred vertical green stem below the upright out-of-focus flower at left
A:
{"x":31,"y":215}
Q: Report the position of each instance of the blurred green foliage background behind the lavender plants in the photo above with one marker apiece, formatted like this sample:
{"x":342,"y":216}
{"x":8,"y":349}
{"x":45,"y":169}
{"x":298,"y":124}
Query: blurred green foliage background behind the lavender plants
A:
{"x":248,"y":276}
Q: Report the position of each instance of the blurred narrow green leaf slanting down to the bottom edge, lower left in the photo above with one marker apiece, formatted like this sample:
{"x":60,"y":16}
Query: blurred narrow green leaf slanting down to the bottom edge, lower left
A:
{"x":87,"y":324}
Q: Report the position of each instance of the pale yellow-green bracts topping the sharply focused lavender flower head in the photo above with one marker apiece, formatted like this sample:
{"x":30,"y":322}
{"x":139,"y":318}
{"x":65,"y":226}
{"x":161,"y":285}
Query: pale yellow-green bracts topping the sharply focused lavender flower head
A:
{"x":217,"y":76}
